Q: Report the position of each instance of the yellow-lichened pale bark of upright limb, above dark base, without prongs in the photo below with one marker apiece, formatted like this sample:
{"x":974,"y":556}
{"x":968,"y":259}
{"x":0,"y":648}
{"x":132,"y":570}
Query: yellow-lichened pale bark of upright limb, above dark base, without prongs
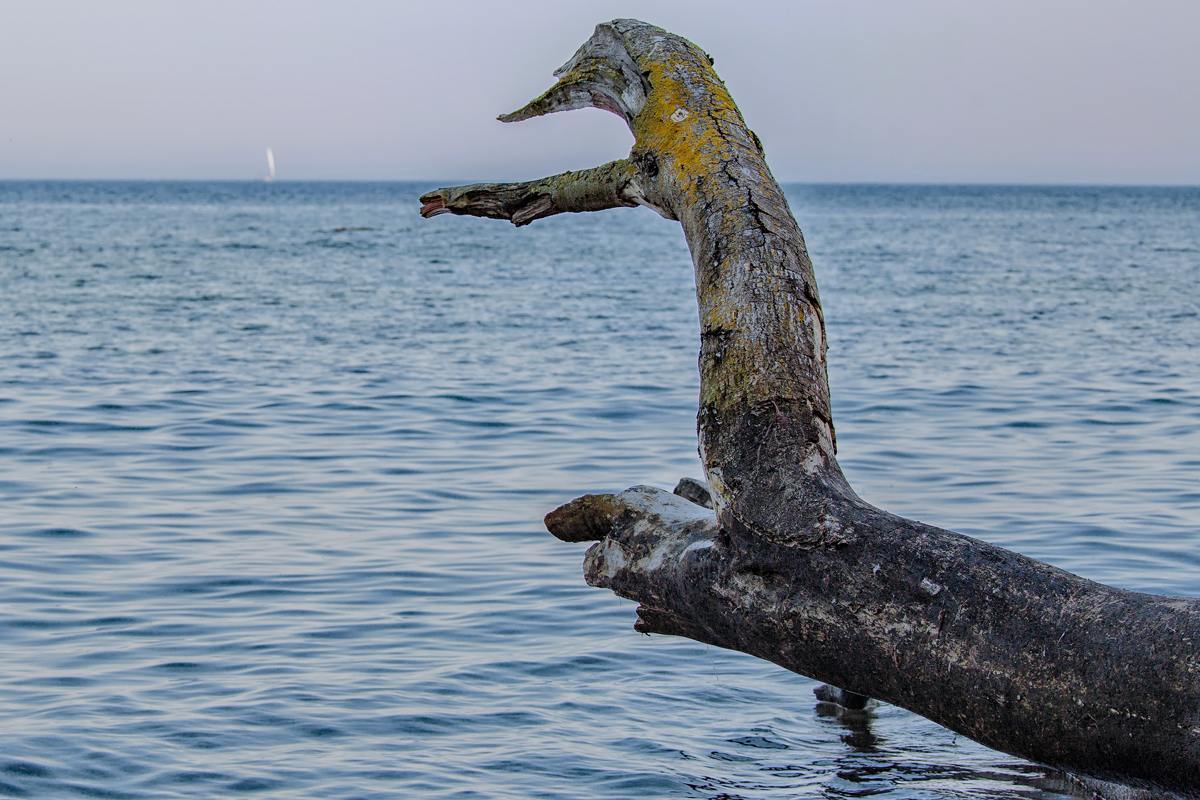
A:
{"x":699,"y":163}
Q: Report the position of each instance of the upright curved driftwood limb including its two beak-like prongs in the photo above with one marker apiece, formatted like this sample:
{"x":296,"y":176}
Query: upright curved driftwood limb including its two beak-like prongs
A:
{"x":765,"y":394}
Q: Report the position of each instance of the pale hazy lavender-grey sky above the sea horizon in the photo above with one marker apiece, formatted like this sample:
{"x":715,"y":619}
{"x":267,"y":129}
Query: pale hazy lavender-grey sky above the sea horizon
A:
{"x":838,"y":91}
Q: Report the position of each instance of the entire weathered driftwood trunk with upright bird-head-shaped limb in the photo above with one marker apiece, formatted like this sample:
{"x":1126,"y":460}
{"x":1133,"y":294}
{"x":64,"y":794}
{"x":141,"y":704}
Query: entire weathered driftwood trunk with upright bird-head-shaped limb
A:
{"x":793,"y":567}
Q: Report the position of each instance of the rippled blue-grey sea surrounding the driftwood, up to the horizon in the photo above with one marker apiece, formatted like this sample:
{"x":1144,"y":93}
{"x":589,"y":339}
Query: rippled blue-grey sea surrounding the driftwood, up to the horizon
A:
{"x":274,"y":460}
